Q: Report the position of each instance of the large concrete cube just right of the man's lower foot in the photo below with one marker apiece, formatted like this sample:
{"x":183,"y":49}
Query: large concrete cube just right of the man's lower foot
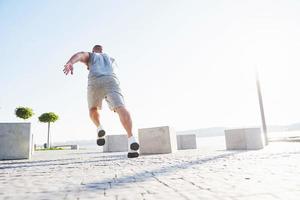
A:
{"x":157,"y":140}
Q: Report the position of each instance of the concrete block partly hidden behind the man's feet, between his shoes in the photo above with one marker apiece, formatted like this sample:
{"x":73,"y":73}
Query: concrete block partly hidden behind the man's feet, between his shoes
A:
{"x":115,"y":143}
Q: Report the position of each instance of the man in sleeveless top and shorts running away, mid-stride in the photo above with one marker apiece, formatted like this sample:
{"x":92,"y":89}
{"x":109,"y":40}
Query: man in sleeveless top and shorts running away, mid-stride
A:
{"x":104,"y":84}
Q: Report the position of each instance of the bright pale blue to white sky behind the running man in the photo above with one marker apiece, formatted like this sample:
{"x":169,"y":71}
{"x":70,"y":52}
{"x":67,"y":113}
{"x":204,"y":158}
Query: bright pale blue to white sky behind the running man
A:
{"x":188,"y":64}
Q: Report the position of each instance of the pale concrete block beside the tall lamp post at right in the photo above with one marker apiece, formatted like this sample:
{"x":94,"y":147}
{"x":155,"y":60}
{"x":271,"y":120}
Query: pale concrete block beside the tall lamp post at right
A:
{"x":244,"y":139}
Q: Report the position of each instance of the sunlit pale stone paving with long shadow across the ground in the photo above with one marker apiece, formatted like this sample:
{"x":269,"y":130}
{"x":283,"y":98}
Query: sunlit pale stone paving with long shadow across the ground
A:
{"x":271,"y":173}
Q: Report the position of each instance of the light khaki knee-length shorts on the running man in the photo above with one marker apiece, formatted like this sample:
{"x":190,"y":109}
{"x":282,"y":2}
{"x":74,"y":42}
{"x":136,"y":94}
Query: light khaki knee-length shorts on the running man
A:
{"x":104,"y":87}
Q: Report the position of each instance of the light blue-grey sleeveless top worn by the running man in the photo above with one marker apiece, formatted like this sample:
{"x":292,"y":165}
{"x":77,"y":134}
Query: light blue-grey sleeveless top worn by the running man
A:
{"x":100,"y":64}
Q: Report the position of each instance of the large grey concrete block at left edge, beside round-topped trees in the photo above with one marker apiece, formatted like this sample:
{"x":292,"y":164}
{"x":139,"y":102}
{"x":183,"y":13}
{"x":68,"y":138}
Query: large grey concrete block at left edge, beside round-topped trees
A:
{"x":15,"y":141}
